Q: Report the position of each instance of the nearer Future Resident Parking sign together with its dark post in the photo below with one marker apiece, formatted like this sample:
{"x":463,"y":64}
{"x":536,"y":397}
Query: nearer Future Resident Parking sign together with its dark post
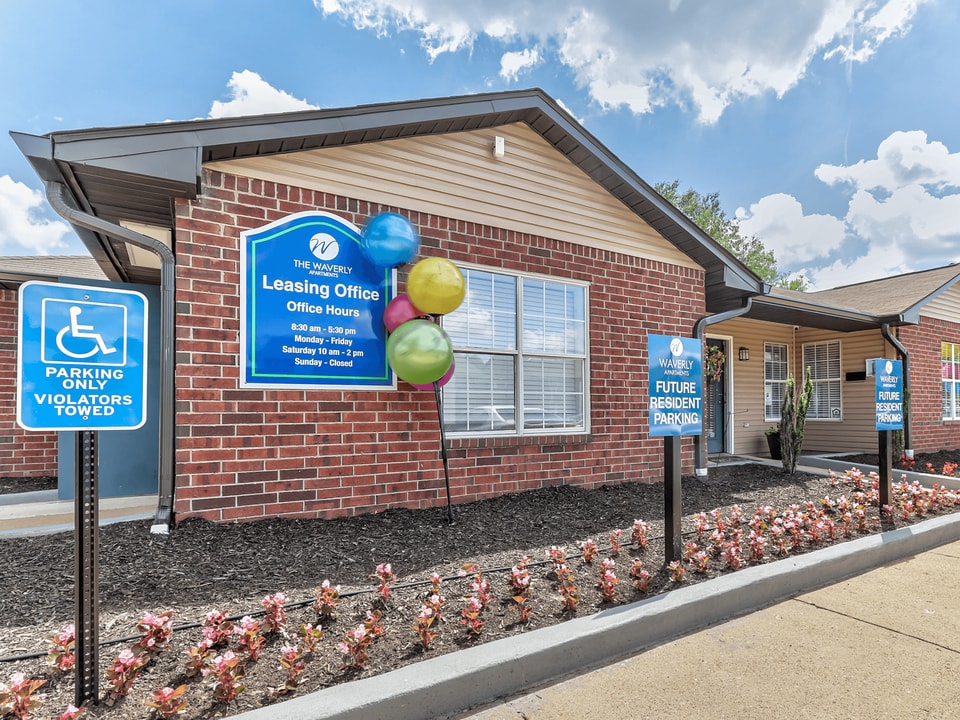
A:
{"x":676,"y":409}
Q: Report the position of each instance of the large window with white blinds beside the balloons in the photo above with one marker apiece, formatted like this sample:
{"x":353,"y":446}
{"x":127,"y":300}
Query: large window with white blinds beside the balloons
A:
{"x":520,"y":354}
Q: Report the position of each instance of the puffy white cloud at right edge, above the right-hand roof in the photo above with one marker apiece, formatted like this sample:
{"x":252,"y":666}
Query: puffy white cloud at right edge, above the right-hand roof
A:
{"x":902,"y":215}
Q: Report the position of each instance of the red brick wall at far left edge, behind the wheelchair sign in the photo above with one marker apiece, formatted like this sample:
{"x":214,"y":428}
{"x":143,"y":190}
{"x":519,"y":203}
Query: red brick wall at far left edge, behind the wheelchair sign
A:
{"x":22,"y":453}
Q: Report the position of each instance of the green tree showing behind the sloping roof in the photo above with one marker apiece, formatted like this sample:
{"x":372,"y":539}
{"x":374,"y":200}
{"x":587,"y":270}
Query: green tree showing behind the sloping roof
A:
{"x":706,"y":212}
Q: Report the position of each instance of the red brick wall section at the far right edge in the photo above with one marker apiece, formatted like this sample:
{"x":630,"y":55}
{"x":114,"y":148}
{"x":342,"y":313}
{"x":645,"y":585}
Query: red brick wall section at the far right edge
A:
{"x":929,"y":431}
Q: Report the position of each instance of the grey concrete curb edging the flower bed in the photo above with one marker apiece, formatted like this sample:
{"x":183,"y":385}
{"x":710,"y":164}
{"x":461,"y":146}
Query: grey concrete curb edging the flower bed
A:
{"x":449,"y":684}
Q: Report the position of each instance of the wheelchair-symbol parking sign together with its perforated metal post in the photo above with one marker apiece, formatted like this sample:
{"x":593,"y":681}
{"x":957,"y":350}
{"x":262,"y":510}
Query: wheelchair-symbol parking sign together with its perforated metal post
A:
{"x":82,"y":366}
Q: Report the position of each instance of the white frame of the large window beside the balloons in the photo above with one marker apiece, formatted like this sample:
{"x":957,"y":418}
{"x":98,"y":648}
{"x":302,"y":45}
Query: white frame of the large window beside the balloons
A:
{"x":518,"y":354}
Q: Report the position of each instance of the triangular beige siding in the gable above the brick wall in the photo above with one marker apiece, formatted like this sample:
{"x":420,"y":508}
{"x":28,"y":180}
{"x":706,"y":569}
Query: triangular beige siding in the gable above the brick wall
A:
{"x":532,"y":189}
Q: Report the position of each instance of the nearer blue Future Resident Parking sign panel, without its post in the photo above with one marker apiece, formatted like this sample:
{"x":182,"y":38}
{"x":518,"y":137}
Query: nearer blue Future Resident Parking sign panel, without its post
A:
{"x":676,"y":385}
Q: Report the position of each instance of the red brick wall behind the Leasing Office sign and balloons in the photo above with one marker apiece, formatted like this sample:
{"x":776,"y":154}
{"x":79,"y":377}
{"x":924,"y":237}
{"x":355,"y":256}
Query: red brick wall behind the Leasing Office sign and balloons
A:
{"x":248,"y":453}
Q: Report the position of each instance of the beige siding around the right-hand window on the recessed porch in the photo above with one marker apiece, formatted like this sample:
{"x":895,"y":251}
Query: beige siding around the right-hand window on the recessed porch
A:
{"x":857,"y":430}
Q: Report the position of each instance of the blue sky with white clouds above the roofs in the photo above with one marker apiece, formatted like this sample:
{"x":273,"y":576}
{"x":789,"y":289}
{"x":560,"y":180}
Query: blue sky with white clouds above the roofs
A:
{"x":829,"y":128}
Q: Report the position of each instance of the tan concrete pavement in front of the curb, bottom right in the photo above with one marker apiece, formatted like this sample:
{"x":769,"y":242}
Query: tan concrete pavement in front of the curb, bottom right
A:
{"x":885,"y":644}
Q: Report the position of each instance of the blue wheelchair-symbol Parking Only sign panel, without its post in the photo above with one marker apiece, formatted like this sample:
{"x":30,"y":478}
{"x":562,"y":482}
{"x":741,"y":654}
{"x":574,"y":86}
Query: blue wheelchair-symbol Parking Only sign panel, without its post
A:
{"x":82,"y":360}
